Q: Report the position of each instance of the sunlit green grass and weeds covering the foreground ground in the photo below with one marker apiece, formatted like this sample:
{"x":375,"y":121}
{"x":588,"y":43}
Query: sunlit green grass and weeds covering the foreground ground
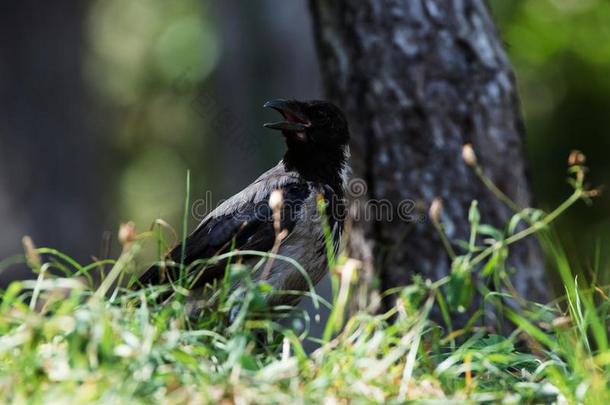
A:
{"x":72,"y":339}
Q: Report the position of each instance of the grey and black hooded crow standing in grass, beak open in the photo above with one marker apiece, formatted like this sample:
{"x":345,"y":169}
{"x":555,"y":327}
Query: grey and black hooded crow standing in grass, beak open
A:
{"x":314,"y":167}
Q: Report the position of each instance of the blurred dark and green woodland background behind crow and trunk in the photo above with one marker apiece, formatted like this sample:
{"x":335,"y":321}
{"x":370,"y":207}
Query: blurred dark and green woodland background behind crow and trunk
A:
{"x":105,"y":104}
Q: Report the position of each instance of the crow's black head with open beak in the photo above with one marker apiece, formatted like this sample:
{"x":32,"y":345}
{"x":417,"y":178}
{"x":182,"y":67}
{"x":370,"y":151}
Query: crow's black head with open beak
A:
{"x":310,"y":125}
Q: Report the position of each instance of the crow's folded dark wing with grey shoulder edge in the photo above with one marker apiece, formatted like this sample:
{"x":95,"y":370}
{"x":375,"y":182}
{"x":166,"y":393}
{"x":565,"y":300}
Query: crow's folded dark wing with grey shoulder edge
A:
{"x":245,"y":222}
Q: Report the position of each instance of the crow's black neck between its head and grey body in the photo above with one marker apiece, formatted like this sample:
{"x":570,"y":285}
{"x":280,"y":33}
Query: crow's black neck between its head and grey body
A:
{"x":324,"y":167}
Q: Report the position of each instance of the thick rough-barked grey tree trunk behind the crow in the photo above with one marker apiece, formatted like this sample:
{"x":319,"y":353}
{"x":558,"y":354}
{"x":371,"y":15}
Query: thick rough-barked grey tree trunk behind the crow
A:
{"x":418,"y":80}
